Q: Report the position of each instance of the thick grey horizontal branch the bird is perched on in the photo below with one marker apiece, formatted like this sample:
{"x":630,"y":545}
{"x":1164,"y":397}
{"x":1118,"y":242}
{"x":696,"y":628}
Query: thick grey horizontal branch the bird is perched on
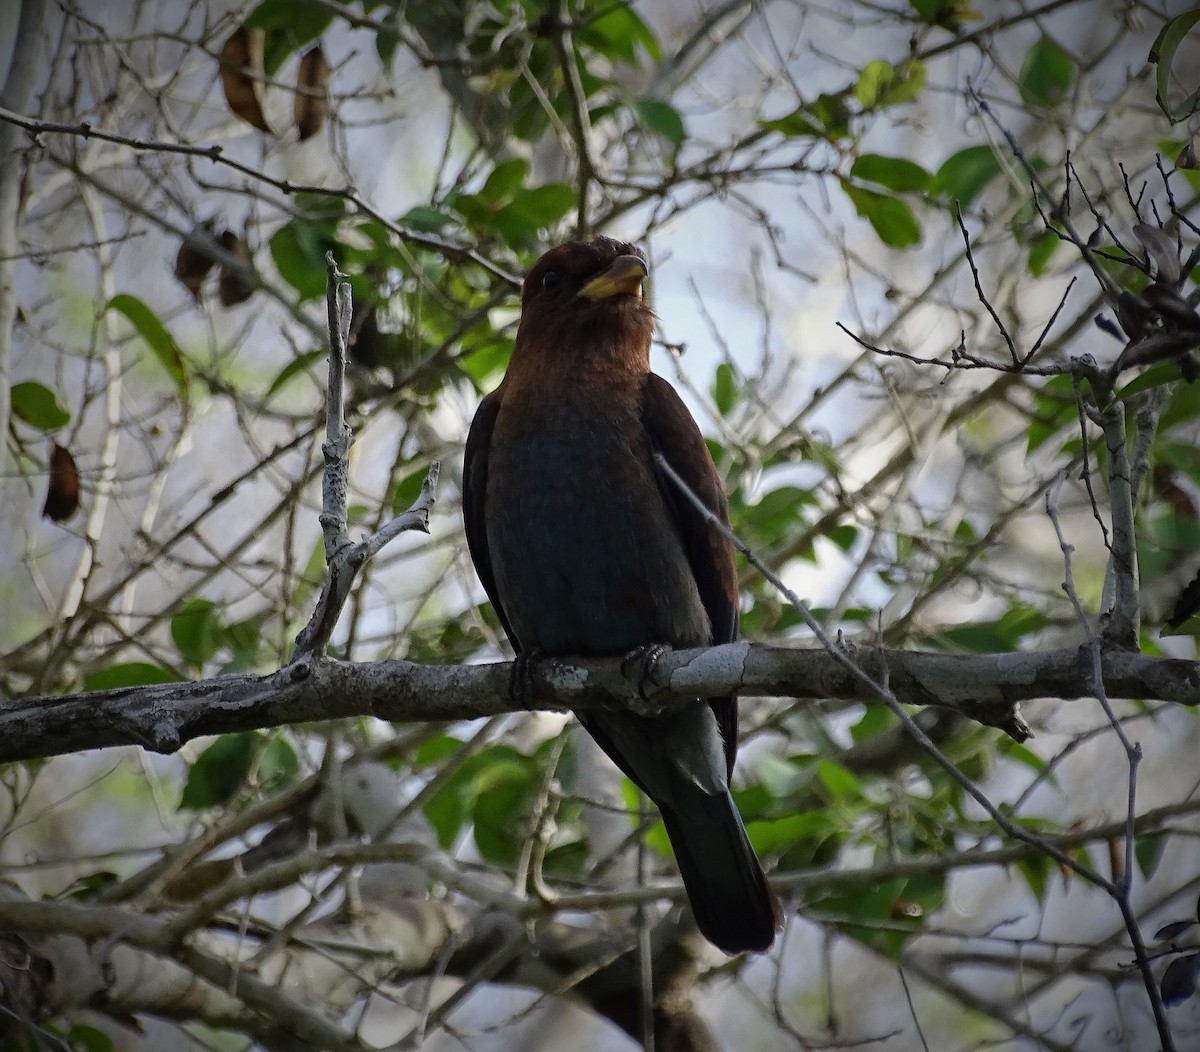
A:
{"x":987,"y":688}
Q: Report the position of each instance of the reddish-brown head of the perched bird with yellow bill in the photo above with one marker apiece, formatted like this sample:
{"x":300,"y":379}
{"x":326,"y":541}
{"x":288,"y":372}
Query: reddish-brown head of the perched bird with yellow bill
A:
{"x":585,"y":298}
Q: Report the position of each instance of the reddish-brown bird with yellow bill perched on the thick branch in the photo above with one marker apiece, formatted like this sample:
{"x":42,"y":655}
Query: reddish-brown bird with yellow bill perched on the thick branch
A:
{"x":586,"y":549}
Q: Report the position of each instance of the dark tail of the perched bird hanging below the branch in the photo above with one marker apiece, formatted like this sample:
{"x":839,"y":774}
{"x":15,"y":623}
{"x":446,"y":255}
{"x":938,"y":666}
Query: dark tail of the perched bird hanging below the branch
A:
{"x":730,"y":897}
